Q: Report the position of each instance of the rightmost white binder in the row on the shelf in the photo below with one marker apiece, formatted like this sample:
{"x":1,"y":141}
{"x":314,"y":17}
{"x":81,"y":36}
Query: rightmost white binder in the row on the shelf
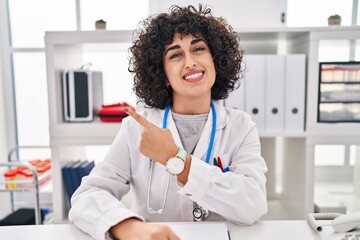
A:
{"x":295,"y":93}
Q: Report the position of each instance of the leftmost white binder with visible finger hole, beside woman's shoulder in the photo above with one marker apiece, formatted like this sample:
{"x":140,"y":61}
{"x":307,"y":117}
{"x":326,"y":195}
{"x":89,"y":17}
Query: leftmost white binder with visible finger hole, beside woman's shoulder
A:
{"x":255,"y":89}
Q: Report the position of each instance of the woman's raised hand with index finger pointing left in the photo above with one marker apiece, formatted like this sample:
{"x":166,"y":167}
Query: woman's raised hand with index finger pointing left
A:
{"x":156,"y":143}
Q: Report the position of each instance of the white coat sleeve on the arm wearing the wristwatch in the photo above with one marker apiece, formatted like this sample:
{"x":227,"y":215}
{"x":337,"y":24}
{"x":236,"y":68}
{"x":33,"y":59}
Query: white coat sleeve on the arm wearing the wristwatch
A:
{"x":239,"y":195}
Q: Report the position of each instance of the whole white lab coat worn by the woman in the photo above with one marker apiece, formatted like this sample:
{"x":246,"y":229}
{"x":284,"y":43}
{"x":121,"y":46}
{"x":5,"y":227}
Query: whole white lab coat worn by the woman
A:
{"x":238,"y":195}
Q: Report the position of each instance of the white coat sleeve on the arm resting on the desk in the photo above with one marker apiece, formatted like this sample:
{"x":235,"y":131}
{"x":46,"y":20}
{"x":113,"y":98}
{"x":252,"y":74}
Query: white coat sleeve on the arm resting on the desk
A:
{"x":96,"y":205}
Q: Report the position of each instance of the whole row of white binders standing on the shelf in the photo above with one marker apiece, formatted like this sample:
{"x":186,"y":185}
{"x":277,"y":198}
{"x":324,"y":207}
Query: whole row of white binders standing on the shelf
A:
{"x":273,"y":92}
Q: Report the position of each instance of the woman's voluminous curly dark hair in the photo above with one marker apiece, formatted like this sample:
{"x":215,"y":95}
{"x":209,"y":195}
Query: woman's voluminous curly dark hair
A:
{"x":146,"y":61}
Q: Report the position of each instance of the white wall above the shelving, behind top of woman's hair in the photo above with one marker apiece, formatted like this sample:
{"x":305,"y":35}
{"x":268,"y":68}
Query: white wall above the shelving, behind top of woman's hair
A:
{"x":239,"y":13}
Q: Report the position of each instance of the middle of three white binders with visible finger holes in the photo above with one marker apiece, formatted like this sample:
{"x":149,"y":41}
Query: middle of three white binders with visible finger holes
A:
{"x":275,"y":93}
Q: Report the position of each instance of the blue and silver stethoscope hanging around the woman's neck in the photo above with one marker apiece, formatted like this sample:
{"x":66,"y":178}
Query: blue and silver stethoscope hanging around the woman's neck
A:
{"x":199,"y":213}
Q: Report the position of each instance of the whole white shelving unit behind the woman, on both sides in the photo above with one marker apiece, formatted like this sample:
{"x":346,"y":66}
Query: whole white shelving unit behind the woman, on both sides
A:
{"x":64,"y":50}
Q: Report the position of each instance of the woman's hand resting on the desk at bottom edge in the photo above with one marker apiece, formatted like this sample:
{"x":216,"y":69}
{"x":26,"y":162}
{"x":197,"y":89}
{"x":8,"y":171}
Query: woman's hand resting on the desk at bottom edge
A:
{"x":134,"y":229}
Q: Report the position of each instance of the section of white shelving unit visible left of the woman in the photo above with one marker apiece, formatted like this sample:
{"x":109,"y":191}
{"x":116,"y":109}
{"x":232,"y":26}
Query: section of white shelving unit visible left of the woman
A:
{"x":67,"y":50}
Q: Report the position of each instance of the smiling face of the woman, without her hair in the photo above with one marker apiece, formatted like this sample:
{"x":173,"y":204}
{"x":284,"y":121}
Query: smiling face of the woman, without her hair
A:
{"x":189,"y":68}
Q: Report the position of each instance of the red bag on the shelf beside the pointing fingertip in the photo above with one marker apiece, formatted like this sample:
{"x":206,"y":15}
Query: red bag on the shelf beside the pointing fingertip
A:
{"x":114,"y":112}
